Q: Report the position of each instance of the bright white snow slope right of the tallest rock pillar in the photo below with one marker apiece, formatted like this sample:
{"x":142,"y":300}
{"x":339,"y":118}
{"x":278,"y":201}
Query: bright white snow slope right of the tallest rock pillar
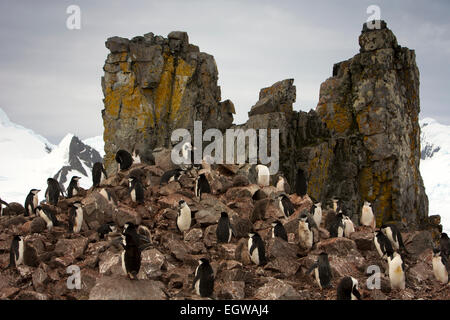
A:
{"x":435,"y":168}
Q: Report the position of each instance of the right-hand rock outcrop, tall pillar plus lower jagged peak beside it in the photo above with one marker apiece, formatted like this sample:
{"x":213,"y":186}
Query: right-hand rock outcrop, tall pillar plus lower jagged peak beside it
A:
{"x":362,"y":143}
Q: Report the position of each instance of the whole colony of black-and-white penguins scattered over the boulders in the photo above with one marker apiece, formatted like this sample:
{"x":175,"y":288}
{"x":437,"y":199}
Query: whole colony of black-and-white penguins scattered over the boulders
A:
{"x":135,"y":238}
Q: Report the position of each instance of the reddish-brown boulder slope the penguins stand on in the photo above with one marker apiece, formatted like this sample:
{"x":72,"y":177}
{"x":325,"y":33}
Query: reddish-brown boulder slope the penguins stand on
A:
{"x":169,"y":262}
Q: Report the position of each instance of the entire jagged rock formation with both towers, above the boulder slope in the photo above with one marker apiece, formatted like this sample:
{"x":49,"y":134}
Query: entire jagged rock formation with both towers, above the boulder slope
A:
{"x":362,"y":143}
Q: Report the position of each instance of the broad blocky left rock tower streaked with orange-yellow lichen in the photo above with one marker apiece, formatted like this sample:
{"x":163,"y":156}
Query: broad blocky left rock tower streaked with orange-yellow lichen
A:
{"x":153,"y":85}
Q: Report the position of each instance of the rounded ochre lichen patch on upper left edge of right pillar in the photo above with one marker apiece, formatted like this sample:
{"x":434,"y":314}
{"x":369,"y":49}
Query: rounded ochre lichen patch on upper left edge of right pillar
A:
{"x":336,"y":117}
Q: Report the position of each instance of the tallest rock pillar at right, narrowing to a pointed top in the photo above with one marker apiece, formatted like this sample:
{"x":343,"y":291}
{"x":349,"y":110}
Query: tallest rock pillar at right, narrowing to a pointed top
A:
{"x":371,"y":107}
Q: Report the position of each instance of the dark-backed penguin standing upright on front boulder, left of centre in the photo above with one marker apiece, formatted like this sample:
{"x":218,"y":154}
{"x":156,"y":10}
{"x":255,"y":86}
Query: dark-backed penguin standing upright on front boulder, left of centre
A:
{"x":131,"y":256}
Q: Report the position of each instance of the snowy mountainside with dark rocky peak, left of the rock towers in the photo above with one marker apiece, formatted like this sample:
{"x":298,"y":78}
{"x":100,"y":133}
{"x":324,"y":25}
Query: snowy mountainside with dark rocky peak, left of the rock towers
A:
{"x":27,"y":160}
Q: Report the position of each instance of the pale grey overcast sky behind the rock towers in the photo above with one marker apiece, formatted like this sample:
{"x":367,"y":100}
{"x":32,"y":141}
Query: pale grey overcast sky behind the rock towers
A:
{"x":50,"y":75}
